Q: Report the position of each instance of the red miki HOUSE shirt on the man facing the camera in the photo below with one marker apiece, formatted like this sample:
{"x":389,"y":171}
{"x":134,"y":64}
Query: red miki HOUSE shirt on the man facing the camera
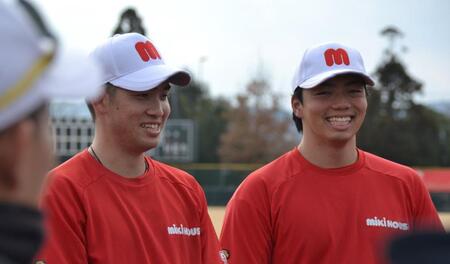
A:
{"x":291,"y":211}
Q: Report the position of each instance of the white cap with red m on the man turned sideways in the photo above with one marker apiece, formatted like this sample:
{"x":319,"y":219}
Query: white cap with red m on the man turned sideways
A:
{"x":131,"y":61}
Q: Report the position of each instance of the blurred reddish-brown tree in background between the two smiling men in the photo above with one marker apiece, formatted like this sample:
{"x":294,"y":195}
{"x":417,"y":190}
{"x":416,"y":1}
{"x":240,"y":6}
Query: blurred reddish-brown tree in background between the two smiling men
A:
{"x":258,"y":130}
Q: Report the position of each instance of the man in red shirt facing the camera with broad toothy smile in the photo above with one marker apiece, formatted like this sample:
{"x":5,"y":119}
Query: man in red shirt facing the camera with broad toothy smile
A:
{"x":326,"y":201}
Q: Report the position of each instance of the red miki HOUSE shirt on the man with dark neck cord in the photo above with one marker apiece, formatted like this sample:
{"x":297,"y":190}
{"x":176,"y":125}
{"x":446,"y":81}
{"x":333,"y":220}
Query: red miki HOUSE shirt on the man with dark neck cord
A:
{"x":97,"y":216}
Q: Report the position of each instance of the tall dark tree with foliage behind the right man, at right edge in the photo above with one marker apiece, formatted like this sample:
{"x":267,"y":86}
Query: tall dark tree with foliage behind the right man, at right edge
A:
{"x":397,"y":127}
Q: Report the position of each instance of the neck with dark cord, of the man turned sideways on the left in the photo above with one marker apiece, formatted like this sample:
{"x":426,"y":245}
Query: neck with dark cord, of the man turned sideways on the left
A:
{"x":117,"y":159}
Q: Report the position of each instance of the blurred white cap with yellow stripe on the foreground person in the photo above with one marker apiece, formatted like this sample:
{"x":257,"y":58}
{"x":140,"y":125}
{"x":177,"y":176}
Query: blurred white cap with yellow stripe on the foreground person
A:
{"x":32,"y":70}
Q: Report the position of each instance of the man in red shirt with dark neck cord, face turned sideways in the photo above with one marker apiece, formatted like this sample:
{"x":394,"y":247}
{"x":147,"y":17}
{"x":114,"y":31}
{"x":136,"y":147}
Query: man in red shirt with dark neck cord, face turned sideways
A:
{"x":113,"y":204}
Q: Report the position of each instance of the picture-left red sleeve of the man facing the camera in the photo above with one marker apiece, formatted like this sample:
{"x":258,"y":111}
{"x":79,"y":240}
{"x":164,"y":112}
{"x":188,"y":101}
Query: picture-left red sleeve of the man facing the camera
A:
{"x":246,"y":232}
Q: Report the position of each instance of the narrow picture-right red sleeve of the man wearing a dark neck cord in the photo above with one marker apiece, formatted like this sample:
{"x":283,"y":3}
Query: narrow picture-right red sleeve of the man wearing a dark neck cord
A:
{"x":210,"y":242}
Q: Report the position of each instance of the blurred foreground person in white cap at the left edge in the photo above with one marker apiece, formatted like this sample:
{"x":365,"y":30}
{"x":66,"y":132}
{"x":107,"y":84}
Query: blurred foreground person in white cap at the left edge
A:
{"x":32,"y":72}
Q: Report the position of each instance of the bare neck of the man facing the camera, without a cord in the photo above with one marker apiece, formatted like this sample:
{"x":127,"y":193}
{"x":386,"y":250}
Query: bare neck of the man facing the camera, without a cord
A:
{"x":329,"y":155}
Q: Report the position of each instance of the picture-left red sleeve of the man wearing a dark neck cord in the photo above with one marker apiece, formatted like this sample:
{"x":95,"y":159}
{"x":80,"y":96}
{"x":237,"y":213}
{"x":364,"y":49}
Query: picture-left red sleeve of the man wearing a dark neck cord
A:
{"x":62,"y":203}
